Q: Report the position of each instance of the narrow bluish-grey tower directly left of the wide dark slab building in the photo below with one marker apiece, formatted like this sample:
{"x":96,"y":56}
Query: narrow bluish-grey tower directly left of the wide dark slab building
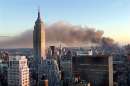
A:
{"x":66,"y":68}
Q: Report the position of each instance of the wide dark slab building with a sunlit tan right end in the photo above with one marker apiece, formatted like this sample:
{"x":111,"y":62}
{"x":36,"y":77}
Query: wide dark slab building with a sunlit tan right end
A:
{"x":96,"y":70}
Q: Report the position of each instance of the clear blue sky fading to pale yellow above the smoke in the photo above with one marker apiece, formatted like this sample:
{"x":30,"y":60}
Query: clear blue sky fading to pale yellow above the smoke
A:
{"x":111,"y":16}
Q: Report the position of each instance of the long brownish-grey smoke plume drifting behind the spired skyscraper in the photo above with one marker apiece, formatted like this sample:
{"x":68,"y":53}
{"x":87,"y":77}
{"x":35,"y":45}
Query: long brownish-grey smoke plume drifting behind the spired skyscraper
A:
{"x":59,"y":32}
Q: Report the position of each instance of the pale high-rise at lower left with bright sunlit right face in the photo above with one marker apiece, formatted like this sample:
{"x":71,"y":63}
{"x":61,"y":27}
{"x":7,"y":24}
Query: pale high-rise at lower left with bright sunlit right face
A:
{"x":18,"y":71}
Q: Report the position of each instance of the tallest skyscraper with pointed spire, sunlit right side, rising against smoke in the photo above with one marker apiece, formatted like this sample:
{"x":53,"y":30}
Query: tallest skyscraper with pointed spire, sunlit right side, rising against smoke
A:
{"x":39,"y":40}
